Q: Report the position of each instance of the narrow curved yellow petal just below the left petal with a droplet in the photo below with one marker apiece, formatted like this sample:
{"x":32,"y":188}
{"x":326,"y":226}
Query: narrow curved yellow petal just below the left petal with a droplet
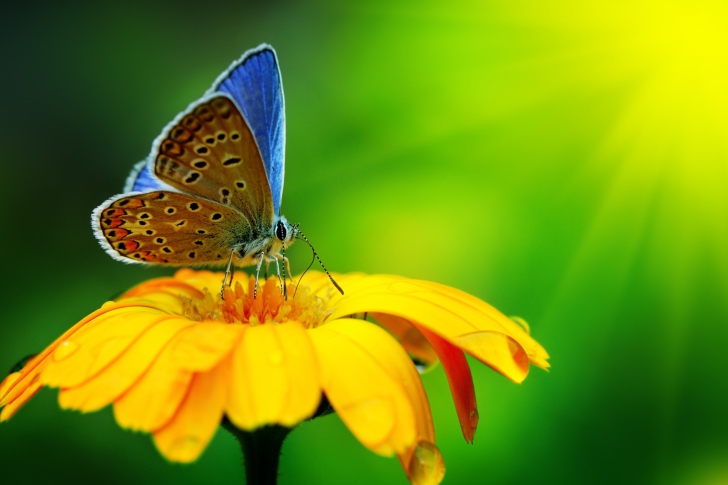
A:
{"x":114,"y":379}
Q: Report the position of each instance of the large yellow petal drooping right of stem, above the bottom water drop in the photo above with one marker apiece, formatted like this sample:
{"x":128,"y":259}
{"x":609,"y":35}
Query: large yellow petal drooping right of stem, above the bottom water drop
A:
{"x":372,"y":384}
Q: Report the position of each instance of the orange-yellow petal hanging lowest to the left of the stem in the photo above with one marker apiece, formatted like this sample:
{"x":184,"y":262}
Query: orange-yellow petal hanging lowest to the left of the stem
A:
{"x":197,"y":419}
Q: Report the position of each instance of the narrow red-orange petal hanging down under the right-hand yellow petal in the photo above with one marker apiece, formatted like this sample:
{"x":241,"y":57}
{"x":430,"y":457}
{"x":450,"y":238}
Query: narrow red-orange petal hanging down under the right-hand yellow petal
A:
{"x":460,"y":380}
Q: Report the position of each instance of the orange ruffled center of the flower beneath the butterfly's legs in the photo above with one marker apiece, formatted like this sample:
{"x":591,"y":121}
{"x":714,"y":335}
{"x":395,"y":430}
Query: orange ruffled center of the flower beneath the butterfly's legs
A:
{"x":268,"y":306}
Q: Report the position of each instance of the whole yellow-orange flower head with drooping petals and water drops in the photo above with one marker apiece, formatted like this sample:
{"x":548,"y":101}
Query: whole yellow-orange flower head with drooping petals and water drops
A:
{"x":174,"y":359}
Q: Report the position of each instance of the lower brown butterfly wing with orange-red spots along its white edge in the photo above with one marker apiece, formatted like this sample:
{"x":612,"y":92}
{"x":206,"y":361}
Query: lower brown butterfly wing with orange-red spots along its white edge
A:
{"x":169,"y":228}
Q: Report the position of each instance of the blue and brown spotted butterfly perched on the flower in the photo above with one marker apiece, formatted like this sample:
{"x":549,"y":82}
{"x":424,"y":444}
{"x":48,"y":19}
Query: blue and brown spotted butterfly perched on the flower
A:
{"x":210,"y":191}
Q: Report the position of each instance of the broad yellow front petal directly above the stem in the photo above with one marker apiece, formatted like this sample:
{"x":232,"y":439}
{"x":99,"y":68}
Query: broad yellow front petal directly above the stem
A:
{"x":274,"y":377}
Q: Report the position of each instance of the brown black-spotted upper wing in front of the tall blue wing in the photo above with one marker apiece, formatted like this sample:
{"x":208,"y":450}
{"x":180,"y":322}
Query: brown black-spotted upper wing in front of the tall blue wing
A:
{"x":209,"y":151}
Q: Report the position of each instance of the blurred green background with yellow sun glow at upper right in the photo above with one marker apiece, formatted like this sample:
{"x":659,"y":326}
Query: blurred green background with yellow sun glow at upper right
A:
{"x":564,"y":161}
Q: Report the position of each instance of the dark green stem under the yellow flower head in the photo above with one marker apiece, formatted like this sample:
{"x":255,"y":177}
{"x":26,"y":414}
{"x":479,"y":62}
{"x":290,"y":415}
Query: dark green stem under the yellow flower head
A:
{"x":261,"y":451}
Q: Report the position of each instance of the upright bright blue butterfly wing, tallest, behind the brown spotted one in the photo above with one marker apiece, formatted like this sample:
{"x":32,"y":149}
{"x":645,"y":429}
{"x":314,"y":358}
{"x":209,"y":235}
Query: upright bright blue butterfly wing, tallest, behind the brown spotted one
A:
{"x":254,"y":82}
